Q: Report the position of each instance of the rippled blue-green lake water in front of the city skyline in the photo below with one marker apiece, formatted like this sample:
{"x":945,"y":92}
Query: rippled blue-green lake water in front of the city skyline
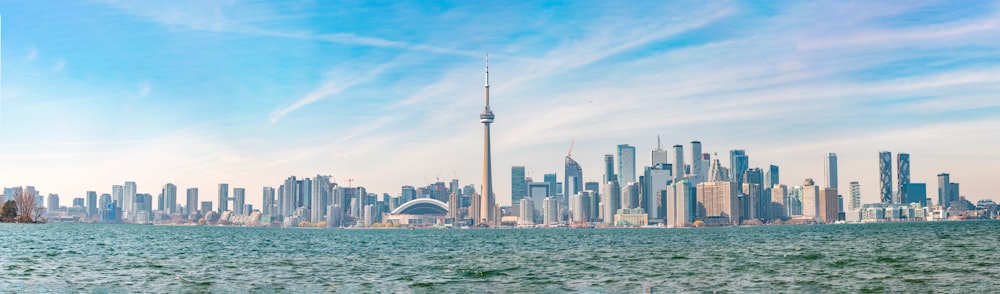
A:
{"x":898,"y":257}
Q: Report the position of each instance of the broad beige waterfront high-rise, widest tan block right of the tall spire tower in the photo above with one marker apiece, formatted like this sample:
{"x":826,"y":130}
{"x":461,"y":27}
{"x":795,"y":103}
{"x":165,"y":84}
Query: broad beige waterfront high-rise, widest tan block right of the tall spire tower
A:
{"x":718,"y":203}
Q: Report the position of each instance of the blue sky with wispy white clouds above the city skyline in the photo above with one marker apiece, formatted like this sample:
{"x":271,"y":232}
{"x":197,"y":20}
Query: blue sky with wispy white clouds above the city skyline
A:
{"x":196,"y":93}
